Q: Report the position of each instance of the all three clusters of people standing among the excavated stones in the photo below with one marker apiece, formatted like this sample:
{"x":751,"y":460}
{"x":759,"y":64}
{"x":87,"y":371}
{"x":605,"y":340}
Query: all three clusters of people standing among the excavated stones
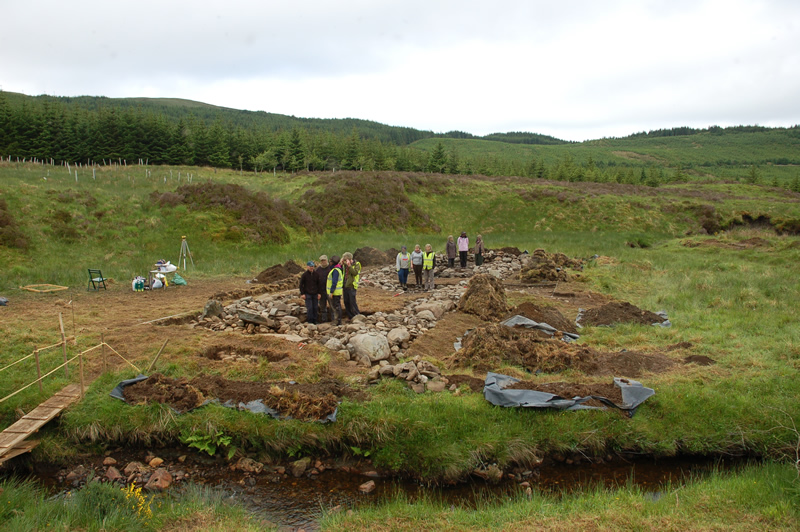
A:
{"x":323,"y":286}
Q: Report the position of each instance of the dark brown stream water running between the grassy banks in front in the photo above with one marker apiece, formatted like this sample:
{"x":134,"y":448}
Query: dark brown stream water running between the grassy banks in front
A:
{"x":298,"y":502}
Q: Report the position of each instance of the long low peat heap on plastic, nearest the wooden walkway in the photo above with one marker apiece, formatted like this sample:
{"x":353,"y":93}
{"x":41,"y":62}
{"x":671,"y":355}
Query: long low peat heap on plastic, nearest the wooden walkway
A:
{"x":299,"y":401}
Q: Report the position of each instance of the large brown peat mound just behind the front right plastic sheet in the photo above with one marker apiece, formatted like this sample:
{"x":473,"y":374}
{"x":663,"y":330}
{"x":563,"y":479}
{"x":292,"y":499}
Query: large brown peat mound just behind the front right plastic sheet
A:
{"x":488,"y":348}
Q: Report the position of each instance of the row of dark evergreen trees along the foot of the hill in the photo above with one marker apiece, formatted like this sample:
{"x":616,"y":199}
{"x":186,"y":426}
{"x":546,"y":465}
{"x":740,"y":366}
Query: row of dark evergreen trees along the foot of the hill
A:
{"x":55,"y":130}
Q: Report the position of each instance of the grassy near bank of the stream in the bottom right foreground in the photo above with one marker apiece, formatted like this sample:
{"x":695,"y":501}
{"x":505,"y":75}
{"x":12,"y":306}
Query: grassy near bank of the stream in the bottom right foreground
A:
{"x":757,"y":498}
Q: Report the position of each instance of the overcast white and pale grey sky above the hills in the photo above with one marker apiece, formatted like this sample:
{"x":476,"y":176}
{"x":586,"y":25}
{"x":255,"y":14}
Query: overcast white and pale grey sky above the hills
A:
{"x":575,"y":70}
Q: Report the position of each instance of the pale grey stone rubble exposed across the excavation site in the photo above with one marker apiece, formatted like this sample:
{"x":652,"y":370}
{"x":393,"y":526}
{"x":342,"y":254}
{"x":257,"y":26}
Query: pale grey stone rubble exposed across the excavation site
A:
{"x":377,"y":341}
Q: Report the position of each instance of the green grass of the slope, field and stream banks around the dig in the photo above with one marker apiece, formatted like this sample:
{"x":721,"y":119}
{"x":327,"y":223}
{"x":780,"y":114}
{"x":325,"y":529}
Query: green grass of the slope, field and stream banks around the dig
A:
{"x":734,"y":303}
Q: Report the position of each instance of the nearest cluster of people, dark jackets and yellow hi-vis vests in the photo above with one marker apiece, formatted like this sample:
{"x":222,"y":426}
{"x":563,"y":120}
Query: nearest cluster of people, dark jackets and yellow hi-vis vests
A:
{"x":323,"y":287}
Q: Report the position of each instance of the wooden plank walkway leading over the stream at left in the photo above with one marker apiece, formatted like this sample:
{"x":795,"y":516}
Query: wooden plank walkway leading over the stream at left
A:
{"x":13,"y":439}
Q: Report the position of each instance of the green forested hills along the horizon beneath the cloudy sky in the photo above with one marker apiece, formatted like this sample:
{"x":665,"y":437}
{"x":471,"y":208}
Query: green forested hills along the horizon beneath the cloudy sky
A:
{"x":173,"y":131}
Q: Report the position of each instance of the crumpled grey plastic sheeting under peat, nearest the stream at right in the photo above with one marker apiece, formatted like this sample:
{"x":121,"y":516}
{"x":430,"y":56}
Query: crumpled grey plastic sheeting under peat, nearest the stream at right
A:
{"x":494,"y":391}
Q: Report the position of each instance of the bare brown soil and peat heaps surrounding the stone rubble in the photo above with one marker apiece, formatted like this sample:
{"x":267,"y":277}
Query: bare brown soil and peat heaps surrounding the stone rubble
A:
{"x":136,"y":325}
